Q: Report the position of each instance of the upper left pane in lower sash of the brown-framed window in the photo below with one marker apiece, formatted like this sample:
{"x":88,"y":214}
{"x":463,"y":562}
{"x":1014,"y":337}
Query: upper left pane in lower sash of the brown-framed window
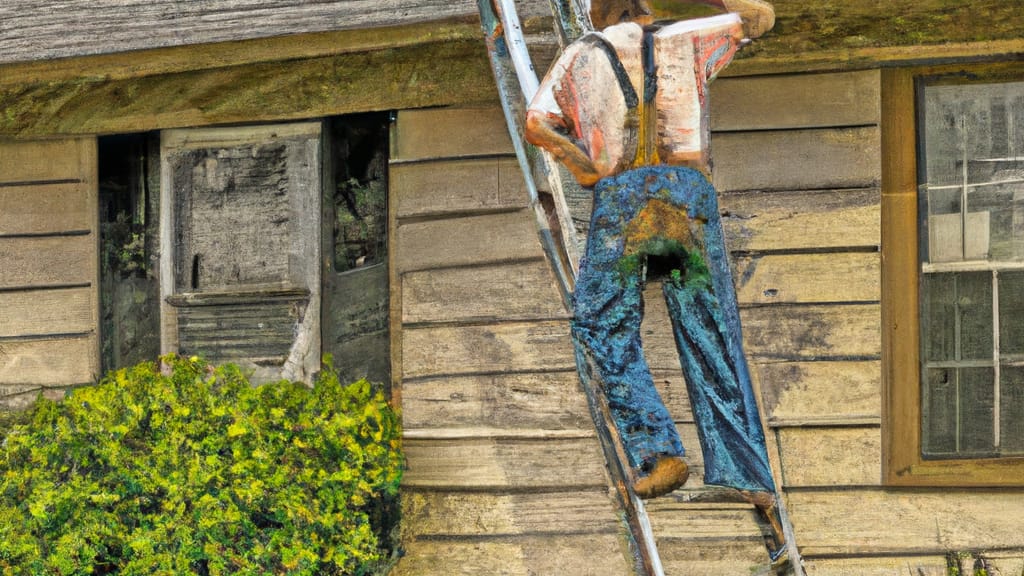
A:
{"x":957,"y":317}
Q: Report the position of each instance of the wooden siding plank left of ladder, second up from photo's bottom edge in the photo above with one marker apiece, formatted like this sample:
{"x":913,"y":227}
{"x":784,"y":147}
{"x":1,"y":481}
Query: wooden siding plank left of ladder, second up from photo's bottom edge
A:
{"x":484,"y":514}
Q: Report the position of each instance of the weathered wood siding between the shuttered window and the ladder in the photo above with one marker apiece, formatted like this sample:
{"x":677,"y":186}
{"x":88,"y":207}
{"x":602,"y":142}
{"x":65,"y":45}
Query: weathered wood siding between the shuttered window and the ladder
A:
{"x":506,"y":474}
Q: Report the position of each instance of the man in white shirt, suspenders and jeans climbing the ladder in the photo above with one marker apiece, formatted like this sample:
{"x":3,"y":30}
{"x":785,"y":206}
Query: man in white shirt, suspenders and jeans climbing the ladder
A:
{"x":626,"y":111}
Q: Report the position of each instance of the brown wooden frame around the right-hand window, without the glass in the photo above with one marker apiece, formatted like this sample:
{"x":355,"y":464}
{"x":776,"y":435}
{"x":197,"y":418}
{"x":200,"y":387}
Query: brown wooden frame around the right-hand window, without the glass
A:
{"x":903,"y":463}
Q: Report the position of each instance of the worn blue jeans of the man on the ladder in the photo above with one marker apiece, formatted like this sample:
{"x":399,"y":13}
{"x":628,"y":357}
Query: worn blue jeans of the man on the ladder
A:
{"x":669,"y":212}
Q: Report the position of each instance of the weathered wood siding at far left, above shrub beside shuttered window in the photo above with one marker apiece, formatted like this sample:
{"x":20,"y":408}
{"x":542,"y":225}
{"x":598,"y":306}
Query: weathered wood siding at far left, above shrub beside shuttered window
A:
{"x":49,"y":268}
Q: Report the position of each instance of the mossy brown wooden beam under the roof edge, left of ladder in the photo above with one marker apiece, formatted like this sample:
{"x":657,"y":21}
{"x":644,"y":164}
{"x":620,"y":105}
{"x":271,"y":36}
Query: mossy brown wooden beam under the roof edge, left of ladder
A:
{"x":437,"y":73}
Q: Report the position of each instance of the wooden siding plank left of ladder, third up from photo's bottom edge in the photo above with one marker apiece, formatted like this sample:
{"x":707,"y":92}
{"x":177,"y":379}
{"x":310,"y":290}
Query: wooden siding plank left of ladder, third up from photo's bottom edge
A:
{"x":504,"y":464}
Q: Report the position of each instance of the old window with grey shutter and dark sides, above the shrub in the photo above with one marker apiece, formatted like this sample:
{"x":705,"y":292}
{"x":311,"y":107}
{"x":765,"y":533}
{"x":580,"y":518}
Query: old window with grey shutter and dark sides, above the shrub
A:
{"x":234,"y":220}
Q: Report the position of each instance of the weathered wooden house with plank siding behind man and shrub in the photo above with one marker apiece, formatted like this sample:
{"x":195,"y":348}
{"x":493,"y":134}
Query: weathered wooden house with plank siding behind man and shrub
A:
{"x":879,"y":305}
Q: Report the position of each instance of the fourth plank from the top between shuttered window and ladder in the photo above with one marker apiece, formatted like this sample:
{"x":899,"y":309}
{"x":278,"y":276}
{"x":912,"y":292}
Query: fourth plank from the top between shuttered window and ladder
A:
{"x":516,"y":292}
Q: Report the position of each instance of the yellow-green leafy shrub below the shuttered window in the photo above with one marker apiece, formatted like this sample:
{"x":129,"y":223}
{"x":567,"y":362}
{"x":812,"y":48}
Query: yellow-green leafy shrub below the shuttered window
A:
{"x":192,"y":471}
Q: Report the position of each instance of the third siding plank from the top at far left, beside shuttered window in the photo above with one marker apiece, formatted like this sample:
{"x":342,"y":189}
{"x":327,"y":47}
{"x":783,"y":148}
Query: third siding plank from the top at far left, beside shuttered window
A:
{"x":48,"y":261}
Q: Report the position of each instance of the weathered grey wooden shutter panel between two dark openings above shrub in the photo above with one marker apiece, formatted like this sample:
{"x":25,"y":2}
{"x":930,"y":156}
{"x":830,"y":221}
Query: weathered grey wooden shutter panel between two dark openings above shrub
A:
{"x":240,"y":266}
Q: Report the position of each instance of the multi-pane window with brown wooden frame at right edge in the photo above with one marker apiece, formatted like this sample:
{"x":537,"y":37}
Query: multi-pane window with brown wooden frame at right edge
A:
{"x":954,"y":277}
